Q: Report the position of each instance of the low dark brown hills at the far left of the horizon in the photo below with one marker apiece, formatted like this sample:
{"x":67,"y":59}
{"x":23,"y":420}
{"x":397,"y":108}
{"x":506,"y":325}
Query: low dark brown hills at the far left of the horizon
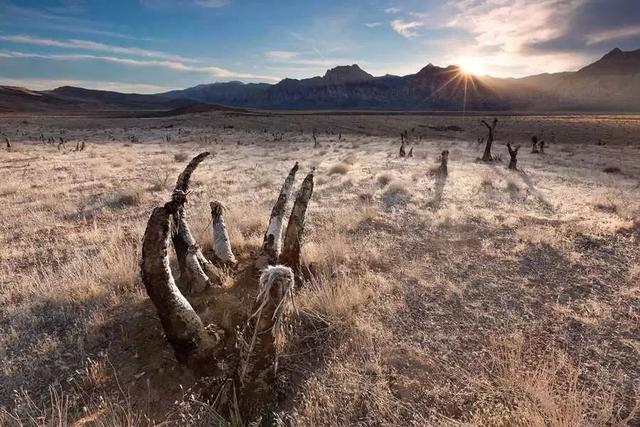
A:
{"x":68,"y":98}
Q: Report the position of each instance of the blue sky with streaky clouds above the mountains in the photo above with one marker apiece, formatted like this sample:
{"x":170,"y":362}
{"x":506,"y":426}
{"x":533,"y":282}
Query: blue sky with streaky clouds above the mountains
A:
{"x":150,"y":46}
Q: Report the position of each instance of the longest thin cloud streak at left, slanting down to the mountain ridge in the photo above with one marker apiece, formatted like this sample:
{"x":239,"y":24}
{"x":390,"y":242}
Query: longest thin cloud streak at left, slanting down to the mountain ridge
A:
{"x":212,"y":71}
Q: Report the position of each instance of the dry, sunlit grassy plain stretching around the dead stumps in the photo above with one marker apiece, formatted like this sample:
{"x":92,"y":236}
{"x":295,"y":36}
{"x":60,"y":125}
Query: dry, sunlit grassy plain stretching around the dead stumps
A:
{"x":487,"y":296}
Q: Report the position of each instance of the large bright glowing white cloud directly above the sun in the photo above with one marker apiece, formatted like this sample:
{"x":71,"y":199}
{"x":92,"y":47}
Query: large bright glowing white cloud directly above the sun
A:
{"x":503,"y":33}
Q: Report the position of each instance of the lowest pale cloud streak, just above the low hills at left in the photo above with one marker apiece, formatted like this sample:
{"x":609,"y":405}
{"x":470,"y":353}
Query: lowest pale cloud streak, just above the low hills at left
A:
{"x":46,"y":84}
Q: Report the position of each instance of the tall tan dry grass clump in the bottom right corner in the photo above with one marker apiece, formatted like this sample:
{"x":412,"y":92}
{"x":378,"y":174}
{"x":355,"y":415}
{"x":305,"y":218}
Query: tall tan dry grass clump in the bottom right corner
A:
{"x":525,"y":386}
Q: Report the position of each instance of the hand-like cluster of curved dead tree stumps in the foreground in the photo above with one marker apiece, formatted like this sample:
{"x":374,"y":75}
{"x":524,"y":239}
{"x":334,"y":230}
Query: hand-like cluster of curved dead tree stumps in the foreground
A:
{"x":239,"y":340}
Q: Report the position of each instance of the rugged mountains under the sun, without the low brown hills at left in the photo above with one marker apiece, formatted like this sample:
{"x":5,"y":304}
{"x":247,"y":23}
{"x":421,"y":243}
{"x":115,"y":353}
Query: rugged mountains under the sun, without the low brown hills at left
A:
{"x":611,"y":83}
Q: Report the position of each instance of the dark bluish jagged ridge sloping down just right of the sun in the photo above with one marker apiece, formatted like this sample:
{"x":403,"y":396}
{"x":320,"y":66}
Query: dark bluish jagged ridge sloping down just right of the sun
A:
{"x":350,"y":87}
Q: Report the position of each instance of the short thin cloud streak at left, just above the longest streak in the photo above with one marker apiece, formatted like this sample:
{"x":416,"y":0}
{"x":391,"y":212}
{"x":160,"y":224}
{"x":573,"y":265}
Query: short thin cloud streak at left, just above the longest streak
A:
{"x":94,"y":46}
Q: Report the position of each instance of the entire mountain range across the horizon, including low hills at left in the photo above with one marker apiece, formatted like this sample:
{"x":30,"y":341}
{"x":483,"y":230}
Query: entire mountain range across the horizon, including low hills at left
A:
{"x":610,"y":84}
